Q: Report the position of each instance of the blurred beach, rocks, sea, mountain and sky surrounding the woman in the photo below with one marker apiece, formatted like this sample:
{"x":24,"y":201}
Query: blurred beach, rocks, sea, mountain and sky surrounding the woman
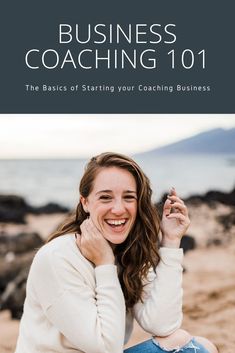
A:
{"x":42,"y":158}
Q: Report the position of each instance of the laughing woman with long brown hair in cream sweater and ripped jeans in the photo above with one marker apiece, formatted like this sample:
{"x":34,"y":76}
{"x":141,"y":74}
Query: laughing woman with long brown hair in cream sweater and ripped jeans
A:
{"x":108,"y":264}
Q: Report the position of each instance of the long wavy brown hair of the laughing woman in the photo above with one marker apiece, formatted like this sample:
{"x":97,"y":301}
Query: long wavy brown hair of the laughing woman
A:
{"x":139,"y":252}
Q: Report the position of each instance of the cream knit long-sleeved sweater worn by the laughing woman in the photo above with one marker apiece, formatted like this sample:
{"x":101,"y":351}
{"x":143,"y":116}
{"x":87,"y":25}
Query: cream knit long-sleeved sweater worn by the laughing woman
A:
{"x":72,"y":306}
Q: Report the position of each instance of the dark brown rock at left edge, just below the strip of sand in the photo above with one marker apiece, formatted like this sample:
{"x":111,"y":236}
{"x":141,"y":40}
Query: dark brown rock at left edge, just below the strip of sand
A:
{"x":21,"y":243}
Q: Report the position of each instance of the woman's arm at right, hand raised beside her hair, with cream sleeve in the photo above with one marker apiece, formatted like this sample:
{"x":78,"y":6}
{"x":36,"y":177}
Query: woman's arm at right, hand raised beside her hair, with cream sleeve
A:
{"x":161,"y":312}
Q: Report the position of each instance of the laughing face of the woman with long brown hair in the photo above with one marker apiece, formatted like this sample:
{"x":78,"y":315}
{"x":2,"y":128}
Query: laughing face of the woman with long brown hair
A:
{"x":112,"y":204}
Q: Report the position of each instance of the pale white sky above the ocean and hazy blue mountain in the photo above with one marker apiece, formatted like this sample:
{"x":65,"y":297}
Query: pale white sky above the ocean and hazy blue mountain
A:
{"x":82,"y":136}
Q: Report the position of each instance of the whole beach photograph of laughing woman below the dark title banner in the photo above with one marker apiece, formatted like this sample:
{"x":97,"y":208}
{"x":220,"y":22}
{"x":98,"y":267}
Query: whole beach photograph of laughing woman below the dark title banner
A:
{"x":117,"y":233}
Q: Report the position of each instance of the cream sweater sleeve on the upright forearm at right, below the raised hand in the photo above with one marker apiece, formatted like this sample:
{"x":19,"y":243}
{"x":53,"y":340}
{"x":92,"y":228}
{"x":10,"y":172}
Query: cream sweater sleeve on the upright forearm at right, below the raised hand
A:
{"x":161,"y":311}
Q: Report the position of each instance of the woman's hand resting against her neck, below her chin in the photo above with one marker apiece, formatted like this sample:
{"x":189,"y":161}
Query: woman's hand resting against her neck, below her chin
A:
{"x":93,"y":246}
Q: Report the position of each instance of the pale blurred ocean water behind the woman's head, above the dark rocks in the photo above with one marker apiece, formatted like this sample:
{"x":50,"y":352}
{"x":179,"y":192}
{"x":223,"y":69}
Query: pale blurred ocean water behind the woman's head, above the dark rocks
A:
{"x":42,"y":181}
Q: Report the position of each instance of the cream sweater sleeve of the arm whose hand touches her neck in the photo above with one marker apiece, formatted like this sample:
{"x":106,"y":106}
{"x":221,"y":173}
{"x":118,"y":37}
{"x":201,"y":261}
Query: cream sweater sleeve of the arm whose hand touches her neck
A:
{"x":92,"y":319}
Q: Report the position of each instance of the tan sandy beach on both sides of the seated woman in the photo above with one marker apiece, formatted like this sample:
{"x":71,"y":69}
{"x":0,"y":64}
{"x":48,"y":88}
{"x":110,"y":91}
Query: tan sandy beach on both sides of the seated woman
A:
{"x":208,"y":280}
